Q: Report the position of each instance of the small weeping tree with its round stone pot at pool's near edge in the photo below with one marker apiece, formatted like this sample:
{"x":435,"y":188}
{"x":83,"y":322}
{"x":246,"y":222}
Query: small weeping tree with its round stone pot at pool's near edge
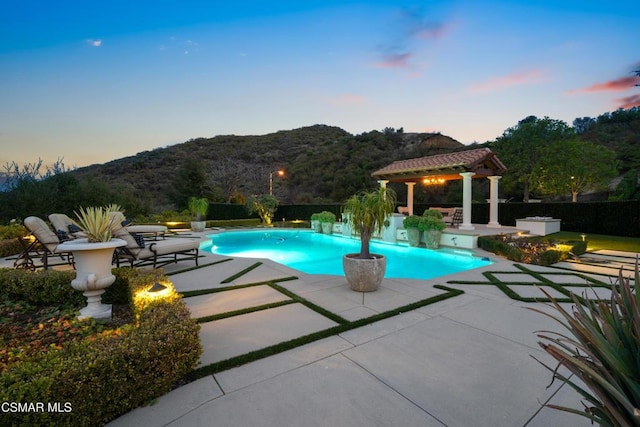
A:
{"x":366,"y":213}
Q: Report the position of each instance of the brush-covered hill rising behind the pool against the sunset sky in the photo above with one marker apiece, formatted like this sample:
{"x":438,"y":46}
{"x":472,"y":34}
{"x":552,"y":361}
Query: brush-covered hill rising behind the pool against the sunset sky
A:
{"x":321,"y":163}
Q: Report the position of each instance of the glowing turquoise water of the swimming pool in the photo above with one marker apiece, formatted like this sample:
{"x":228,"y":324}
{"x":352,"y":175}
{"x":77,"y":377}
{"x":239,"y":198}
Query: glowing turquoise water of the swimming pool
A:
{"x":315,"y":253}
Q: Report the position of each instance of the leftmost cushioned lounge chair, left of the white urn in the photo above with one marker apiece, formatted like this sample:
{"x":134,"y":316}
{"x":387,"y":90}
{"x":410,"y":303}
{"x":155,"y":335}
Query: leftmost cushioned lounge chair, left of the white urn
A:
{"x":44,"y":246}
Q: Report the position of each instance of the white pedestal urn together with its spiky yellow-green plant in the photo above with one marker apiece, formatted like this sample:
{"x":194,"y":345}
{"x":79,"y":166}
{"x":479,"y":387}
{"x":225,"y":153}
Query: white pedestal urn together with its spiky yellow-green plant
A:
{"x":93,"y":257}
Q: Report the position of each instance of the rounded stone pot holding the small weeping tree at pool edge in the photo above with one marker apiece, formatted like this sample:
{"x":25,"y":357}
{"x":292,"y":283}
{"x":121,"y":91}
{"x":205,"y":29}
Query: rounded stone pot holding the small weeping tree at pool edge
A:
{"x":364,"y":275}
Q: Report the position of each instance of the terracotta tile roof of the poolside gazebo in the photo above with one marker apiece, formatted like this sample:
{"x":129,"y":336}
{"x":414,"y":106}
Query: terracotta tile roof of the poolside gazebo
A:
{"x":481,"y":160}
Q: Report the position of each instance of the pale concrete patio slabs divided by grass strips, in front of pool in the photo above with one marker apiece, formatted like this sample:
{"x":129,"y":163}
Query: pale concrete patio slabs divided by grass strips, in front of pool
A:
{"x":462,"y":361}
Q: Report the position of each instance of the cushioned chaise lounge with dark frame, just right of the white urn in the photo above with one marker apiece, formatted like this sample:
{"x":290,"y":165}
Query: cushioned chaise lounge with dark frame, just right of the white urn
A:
{"x":157,"y":253}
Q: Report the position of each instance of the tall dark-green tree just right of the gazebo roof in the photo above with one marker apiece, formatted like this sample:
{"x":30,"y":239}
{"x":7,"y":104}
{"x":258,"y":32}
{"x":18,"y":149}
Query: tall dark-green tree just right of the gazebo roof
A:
{"x":522,"y":148}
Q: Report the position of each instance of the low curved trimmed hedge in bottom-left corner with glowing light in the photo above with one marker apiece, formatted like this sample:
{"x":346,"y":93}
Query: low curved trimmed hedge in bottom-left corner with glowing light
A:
{"x":101,"y":379}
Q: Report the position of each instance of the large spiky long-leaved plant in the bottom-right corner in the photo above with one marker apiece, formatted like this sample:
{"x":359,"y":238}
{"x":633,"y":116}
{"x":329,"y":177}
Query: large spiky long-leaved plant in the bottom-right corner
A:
{"x":603,"y":353}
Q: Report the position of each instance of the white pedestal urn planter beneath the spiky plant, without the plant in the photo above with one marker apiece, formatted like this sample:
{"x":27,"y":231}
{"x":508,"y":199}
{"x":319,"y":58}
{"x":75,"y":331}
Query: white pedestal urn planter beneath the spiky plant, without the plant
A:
{"x":93,"y":273}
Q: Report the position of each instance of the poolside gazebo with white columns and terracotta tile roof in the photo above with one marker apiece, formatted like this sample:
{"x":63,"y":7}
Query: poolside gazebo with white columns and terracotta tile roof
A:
{"x":465,"y":165}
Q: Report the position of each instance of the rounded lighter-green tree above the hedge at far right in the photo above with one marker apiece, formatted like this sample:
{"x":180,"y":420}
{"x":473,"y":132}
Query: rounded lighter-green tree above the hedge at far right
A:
{"x":574,"y":166}
